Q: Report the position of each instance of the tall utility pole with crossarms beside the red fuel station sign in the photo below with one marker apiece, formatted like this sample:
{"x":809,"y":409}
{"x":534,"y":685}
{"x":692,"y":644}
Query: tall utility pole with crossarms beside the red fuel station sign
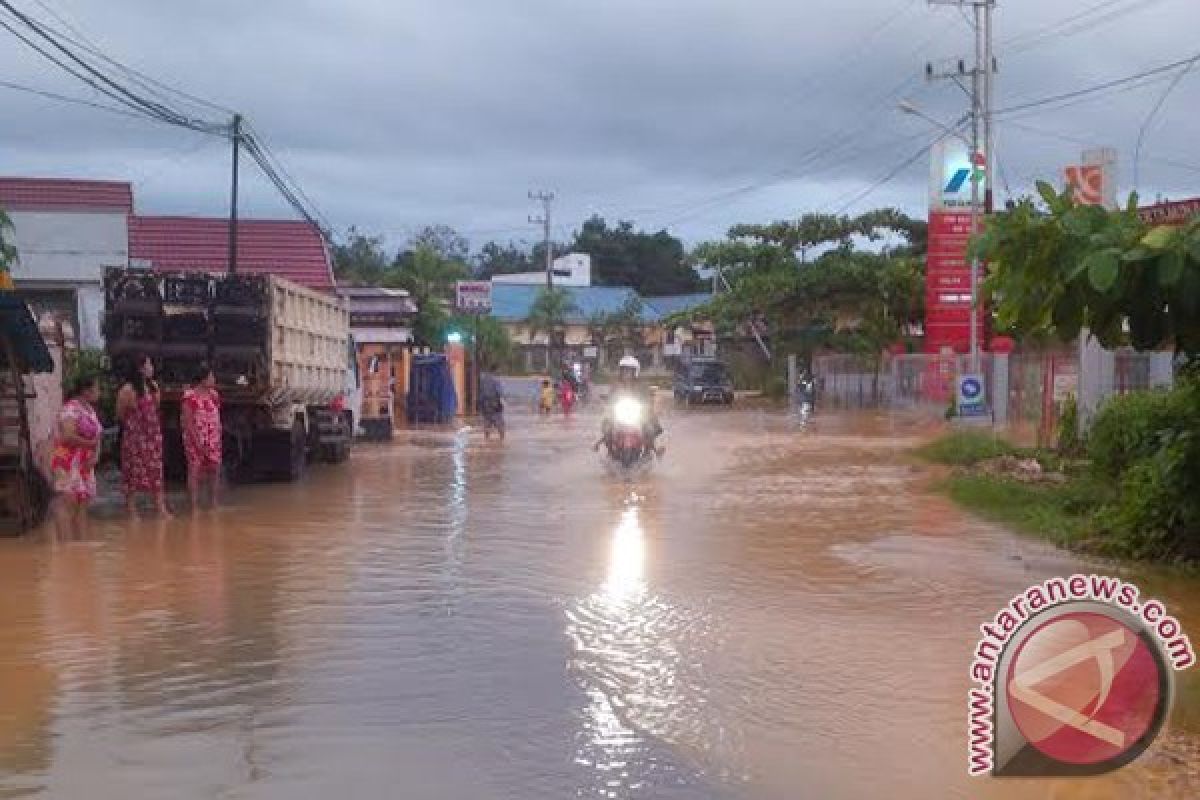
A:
{"x":981,"y":136}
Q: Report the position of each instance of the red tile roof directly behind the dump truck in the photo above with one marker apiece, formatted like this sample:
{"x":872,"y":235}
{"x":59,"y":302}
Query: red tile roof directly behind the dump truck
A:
{"x":290,"y":249}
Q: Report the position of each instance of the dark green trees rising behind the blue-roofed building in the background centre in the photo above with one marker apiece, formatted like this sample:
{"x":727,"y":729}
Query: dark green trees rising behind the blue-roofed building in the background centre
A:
{"x":652,"y":264}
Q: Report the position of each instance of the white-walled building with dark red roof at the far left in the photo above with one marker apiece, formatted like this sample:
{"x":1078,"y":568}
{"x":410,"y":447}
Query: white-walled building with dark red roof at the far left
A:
{"x":67,"y":233}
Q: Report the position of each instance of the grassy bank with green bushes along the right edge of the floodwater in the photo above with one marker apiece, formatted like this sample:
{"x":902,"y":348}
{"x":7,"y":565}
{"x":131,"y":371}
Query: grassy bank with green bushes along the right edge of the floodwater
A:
{"x":1130,"y":490}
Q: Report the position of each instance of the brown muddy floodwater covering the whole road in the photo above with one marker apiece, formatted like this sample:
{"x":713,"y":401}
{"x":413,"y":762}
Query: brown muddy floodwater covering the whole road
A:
{"x":776,"y":612}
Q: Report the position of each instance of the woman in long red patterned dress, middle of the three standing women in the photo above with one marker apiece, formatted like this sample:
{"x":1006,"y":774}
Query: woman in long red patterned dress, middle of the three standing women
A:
{"x":137,"y":408}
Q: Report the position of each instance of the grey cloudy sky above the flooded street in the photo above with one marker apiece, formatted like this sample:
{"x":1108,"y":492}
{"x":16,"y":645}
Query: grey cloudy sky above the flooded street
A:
{"x":686,"y":115}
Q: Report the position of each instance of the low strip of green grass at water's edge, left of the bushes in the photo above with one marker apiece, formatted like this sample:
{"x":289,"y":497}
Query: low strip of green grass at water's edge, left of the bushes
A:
{"x":1059,"y":514}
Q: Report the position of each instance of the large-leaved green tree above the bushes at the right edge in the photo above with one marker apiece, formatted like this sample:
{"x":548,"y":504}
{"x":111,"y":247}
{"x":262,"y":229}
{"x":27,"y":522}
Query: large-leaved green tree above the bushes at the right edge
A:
{"x":1063,"y":267}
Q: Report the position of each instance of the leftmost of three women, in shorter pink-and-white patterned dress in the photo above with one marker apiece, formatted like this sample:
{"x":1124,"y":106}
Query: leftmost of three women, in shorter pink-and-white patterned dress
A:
{"x":73,"y":461}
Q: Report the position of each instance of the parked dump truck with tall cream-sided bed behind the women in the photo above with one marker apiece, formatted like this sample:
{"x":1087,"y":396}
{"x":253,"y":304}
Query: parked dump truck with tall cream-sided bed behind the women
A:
{"x":283,"y":357}
